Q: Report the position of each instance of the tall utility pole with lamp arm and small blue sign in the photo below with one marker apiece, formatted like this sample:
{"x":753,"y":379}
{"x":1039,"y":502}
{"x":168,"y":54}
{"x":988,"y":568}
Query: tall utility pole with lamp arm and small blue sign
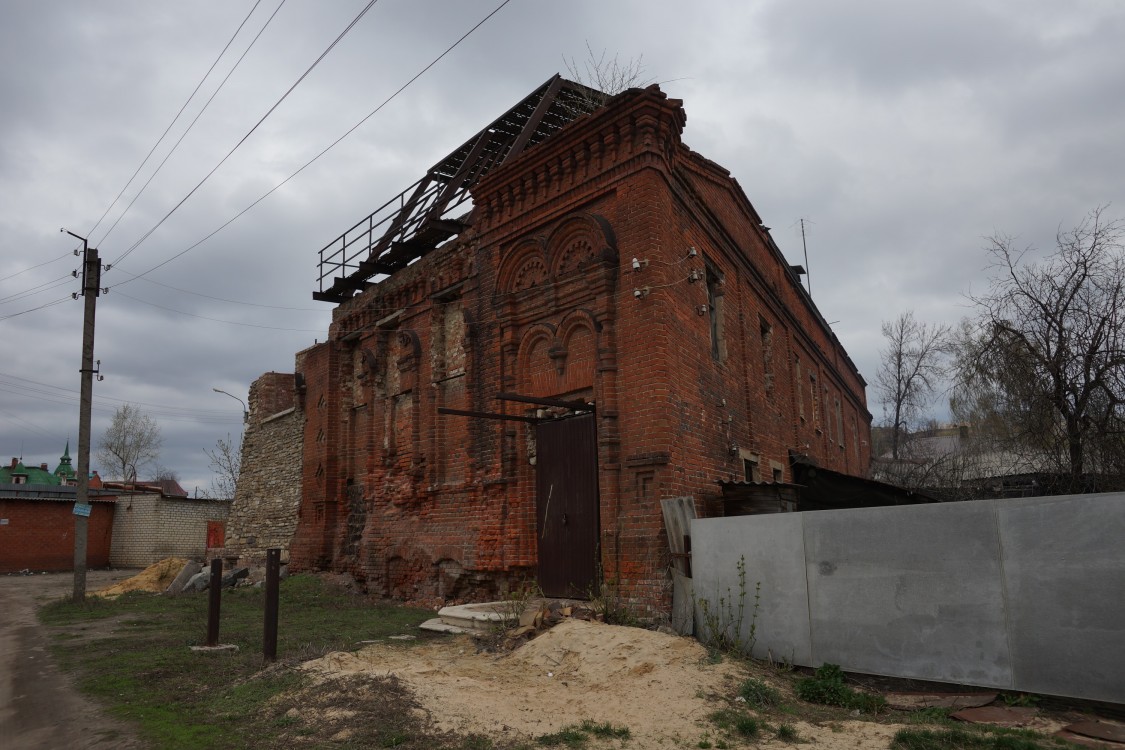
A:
{"x":92,"y":287}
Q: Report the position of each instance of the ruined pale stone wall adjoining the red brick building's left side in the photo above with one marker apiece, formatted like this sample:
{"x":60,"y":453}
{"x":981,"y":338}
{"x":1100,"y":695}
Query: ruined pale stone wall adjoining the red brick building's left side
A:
{"x":267,"y":499}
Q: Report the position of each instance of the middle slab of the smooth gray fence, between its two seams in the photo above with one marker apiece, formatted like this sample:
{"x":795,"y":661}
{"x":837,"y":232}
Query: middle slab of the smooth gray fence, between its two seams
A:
{"x":910,"y":592}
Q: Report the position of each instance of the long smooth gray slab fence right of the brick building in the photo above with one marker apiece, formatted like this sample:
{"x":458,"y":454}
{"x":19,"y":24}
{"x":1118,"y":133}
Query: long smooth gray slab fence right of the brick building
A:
{"x":1020,"y":595}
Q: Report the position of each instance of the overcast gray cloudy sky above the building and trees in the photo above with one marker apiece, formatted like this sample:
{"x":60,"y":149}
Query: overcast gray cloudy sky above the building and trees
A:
{"x":903,"y":133}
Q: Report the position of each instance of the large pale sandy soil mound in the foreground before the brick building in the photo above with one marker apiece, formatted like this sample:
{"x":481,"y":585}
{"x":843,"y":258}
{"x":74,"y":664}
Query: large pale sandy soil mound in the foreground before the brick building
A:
{"x":662,"y":688}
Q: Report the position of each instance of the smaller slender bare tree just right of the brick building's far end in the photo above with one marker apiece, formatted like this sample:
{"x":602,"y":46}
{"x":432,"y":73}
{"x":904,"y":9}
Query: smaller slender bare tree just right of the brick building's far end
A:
{"x":912,"y":371}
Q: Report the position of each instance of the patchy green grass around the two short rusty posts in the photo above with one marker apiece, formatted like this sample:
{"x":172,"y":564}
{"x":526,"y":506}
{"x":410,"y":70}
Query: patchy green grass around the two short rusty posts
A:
{"x":133,"y":655}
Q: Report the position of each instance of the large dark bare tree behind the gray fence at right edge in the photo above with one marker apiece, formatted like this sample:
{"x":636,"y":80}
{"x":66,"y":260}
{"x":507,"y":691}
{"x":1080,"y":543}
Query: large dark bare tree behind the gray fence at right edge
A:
{"x":1046,"y":355}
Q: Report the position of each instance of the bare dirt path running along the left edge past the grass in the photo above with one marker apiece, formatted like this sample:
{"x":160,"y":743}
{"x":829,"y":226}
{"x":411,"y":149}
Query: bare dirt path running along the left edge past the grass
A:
{"x":40,"y":708}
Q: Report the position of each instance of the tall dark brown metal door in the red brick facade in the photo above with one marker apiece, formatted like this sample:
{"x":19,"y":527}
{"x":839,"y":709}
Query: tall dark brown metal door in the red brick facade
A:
{"x":566,"y":507}
